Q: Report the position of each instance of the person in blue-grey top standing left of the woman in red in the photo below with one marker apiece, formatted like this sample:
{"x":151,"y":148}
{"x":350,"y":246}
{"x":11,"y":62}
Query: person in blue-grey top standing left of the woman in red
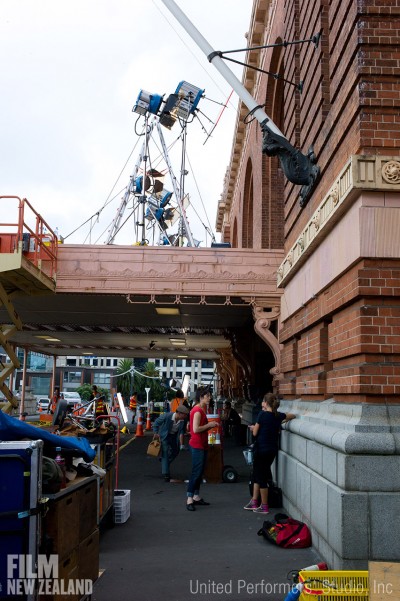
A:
{"x":168,"y":428}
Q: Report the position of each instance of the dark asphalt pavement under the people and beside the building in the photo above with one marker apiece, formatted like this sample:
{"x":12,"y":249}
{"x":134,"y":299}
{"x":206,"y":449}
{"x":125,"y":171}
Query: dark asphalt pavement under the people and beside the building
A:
{"x":165,"y":552}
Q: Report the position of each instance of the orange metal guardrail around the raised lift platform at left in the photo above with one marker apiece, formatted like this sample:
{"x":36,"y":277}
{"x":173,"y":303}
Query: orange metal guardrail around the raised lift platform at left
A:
{"x":39,"y":243}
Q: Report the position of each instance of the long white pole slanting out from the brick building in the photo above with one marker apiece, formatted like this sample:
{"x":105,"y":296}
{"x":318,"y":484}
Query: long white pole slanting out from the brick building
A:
{"x":219,"y":64}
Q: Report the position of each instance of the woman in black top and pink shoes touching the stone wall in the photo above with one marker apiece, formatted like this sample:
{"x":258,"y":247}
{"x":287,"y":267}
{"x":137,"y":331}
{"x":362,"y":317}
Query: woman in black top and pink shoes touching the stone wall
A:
{"x":266,"y":432}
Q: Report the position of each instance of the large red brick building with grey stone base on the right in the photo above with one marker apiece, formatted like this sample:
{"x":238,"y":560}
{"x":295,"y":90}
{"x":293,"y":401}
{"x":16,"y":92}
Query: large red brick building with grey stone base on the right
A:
{"x":339,"y":323}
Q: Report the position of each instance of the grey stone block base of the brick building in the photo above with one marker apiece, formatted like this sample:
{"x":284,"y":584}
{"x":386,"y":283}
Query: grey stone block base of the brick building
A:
{"x":339,"y":468}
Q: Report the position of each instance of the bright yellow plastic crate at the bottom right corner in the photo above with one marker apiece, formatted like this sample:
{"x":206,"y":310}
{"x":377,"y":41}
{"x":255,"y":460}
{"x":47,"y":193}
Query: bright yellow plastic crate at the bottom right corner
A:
{"x":334,"y":585}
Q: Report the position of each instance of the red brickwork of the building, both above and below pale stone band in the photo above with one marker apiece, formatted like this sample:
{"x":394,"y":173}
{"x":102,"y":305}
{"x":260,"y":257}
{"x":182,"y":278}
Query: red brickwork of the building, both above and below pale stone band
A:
{"x":350,"y":104}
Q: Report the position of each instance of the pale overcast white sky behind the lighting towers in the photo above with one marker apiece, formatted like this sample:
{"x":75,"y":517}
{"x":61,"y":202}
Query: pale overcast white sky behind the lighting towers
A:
{"x":71,"y":72}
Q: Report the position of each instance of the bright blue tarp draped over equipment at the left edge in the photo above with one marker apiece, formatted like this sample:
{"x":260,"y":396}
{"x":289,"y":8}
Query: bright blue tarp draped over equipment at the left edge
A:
{"x":12,"y":428}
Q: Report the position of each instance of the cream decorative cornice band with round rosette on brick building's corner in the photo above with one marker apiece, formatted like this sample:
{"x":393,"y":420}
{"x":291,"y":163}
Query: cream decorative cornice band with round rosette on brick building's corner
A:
{"x":360,"y":173}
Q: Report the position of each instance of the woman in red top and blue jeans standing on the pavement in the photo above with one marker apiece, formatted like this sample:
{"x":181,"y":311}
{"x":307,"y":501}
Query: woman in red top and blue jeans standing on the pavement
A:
{"x":199,"y":427}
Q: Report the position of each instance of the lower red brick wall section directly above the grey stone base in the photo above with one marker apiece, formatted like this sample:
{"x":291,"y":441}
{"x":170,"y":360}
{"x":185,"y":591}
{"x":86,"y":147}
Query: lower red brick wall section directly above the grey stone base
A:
{"x":347,"y":339}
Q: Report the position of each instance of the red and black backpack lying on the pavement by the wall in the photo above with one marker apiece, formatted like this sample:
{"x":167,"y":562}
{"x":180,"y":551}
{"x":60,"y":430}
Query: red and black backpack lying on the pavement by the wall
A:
{"x":286,"y":532}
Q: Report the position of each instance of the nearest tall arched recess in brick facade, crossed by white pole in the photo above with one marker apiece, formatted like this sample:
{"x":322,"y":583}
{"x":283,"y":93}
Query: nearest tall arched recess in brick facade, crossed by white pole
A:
{"x":272,"y":175}
